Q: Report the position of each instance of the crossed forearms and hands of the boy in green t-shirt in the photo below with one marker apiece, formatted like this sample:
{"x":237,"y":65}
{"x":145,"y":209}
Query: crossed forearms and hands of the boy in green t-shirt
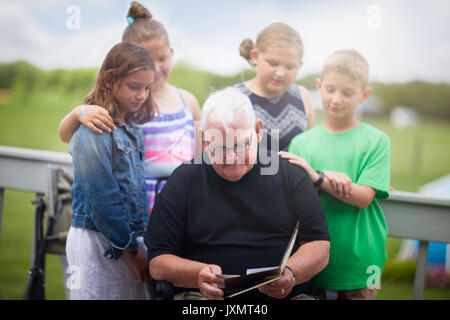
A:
{"x":337,"y":184}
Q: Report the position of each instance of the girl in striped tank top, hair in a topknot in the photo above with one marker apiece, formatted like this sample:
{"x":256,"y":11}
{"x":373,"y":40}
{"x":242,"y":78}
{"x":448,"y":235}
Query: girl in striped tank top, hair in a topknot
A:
{"x":169,"y":137}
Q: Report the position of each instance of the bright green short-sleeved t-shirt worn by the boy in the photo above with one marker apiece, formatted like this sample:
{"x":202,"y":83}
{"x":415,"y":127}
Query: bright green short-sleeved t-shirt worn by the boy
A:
{"x":358,"y":236}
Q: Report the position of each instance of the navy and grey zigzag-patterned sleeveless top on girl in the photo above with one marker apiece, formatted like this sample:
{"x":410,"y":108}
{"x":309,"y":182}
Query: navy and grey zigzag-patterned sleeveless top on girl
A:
{"x":284,"y":113}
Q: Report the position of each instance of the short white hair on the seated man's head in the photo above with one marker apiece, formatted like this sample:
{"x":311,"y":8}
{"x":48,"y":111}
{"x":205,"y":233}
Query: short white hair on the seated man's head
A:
{"x":224,"y":105}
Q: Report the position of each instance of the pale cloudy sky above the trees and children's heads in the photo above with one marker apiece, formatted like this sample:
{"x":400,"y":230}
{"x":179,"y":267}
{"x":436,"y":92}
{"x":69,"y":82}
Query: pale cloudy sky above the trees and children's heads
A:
{"x":403,"y":40}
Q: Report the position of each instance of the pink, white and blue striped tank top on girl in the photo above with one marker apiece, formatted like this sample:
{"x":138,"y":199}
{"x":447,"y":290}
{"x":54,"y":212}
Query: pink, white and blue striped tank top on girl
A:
{"x":168,"y":142}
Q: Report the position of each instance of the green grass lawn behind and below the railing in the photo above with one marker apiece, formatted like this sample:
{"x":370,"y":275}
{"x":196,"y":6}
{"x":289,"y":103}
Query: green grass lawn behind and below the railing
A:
{"x":33,"y":123}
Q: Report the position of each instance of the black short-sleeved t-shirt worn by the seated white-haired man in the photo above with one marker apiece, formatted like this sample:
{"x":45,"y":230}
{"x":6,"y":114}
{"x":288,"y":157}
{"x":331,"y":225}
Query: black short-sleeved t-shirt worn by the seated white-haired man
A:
{"x":198,"y":215}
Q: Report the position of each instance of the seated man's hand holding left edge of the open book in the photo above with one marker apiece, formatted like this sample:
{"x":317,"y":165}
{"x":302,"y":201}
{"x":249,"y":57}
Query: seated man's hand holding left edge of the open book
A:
{"x":208,"y":282}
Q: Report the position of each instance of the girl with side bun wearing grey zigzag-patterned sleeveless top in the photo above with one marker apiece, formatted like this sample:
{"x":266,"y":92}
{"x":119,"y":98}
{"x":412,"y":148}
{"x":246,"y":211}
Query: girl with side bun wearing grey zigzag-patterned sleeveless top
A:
{"x":279,"y":102}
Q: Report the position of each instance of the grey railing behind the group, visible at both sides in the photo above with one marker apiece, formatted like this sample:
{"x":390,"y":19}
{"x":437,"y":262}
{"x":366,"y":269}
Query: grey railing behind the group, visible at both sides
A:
{"x":408,"y":215}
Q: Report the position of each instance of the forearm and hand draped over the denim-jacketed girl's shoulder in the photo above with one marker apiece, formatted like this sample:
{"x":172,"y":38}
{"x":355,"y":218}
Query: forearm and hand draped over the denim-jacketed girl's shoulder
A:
{"x":94,"y":117}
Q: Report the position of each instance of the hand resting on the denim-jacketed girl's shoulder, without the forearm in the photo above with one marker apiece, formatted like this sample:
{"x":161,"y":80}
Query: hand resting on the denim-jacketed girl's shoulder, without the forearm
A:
{"x":96,"y":118}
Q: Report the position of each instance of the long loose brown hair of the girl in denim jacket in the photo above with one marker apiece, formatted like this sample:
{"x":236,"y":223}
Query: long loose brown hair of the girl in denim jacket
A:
{"x":122,"y":60}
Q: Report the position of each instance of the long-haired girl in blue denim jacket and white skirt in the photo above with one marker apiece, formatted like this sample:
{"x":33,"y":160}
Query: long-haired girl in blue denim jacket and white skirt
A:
{"x":105,"y":250}
